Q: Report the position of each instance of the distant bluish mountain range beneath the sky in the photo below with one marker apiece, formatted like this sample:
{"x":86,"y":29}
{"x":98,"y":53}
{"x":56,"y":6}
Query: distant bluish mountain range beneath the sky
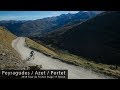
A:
{"x":40,"y":27}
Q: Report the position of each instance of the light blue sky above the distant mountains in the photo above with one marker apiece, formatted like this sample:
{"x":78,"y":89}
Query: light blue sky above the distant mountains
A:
{"x":30,"y":15}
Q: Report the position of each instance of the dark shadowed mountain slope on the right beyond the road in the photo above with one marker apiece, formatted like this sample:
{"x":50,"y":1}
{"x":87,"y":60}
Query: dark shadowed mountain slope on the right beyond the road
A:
{"x":97,"y":39}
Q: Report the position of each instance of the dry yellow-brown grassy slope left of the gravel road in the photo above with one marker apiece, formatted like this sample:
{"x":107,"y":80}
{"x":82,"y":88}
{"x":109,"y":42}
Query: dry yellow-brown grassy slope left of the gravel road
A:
{"x":9,"y":58}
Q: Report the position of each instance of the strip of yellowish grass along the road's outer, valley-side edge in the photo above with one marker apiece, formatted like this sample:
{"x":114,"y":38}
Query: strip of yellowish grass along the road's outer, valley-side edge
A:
{"x":65,"y":56}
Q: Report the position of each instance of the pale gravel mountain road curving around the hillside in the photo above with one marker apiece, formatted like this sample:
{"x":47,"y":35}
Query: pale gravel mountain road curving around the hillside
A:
{"x":74,"y":72}
